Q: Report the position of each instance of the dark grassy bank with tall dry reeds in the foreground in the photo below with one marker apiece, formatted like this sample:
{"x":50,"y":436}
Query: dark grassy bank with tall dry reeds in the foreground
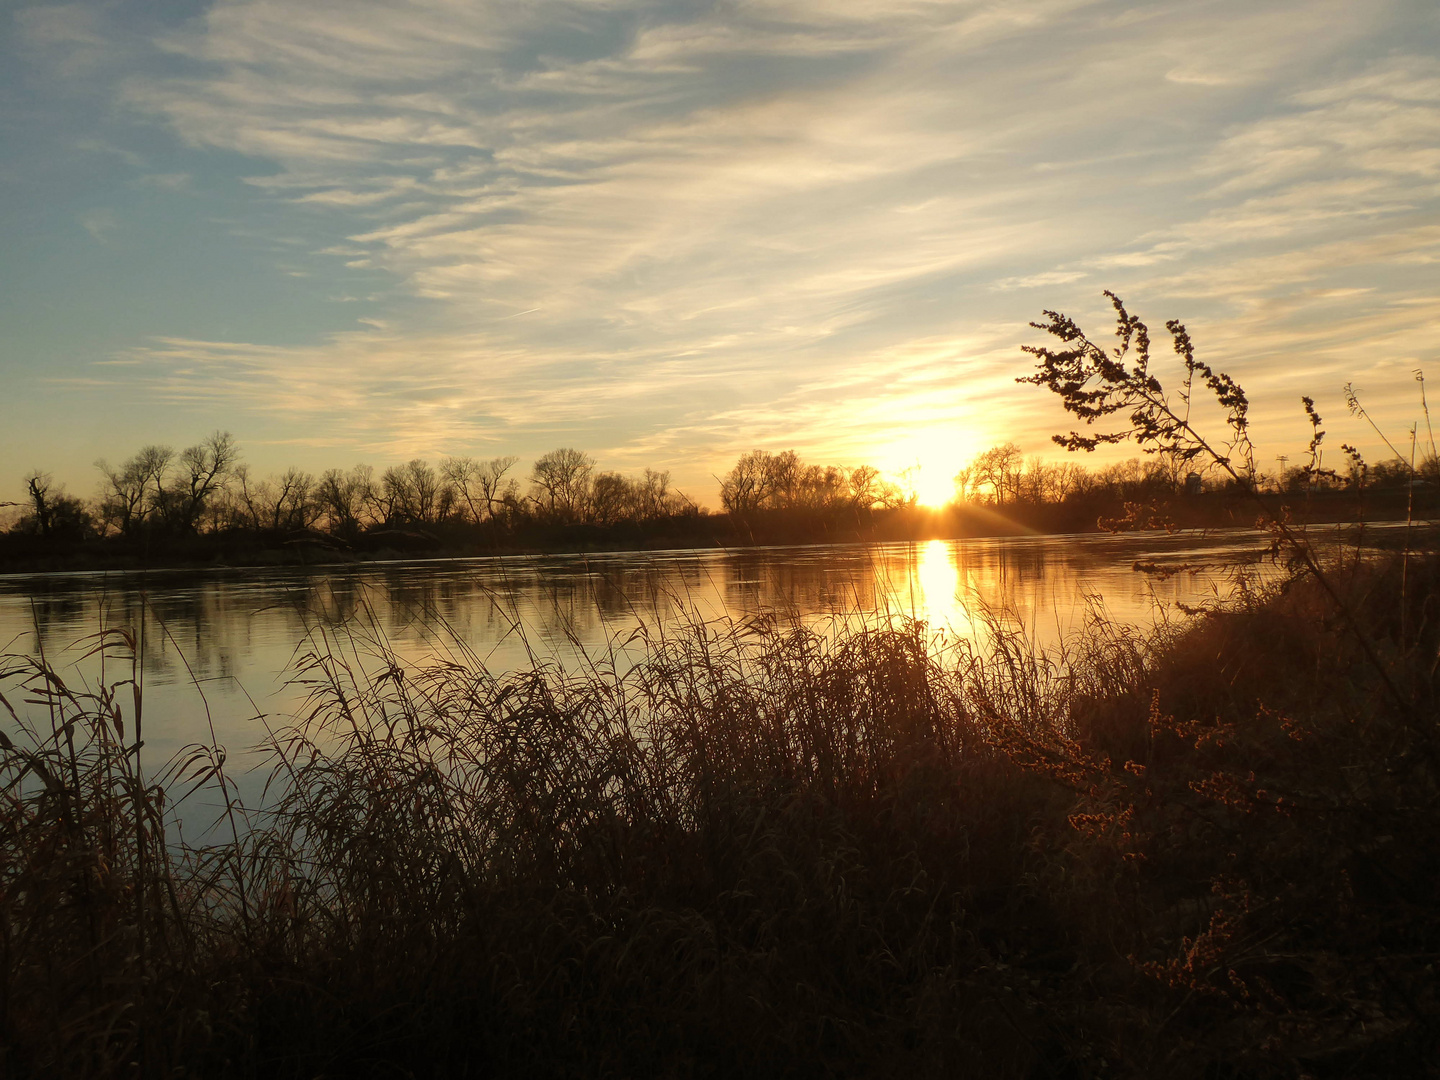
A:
{"x":1205,"y":853}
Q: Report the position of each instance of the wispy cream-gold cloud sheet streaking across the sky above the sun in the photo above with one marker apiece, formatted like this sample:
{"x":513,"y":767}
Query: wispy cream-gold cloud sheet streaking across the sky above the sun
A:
{"x":666,"y":231}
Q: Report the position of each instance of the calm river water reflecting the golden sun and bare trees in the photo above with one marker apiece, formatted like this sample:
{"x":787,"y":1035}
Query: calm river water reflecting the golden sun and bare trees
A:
{"x":221,"y":643}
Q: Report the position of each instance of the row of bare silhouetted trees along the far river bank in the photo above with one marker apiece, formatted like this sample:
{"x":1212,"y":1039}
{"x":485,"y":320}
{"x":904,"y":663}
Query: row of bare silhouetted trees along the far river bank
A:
{"x":208,"y":489}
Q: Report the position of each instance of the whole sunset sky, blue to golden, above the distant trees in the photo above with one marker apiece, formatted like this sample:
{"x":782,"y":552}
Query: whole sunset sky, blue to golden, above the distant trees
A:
{"x":368,"y":231}
